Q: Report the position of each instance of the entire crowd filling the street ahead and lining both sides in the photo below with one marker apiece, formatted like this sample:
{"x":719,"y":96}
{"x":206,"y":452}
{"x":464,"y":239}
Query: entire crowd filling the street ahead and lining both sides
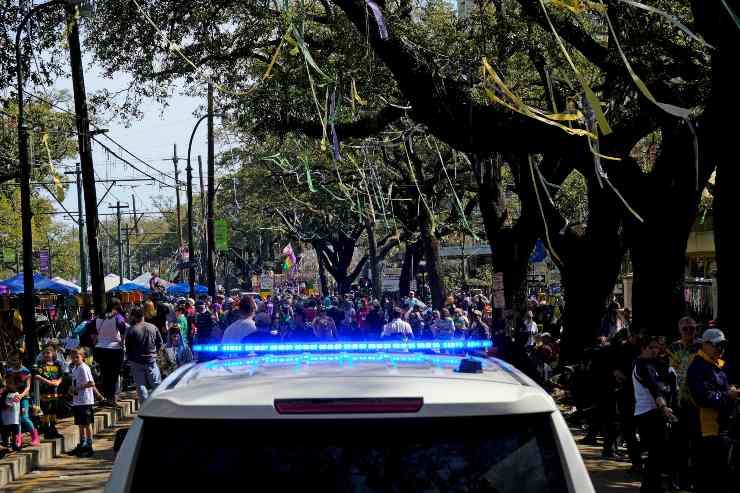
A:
{"x":668,"y":403}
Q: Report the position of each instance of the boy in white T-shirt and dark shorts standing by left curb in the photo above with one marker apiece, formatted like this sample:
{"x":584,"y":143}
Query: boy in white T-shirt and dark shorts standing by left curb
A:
{"x":82,"y":389}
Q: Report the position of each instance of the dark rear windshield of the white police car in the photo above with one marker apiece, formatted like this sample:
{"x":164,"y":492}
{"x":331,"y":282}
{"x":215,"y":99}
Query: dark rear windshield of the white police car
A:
{"x":471,"y":454}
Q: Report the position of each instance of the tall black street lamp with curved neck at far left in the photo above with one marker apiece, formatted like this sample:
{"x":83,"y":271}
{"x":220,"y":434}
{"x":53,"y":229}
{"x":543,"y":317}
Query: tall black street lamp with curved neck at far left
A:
{"x":29,"y":311}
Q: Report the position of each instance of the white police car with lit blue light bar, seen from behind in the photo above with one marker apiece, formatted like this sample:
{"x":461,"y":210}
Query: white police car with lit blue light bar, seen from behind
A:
{"x":347,"y":420}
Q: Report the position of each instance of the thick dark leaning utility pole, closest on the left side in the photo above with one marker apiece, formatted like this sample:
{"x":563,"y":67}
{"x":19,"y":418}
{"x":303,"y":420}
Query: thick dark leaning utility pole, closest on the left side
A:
{"x":88,"y":172}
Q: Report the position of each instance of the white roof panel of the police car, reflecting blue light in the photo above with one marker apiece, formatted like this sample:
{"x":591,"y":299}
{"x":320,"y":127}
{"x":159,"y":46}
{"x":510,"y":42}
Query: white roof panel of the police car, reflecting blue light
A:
{"x":247,"y":388}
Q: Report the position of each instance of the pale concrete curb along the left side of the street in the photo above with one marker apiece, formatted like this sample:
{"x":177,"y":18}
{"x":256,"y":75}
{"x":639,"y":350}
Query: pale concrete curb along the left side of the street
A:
{"x":20,"y":463}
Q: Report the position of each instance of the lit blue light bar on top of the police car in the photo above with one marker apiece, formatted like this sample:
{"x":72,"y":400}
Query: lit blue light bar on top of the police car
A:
{"x":333,"y":347}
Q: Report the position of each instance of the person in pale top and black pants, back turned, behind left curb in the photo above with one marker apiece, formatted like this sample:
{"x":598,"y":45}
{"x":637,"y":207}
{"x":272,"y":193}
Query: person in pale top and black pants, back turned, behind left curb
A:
{"x":110,"y":327}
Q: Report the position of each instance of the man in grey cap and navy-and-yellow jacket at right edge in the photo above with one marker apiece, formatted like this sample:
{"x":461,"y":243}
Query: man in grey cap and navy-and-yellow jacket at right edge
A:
{"x":713,"y":402}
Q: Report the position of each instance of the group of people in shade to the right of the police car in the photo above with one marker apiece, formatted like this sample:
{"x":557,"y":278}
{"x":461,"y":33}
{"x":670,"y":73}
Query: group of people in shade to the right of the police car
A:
{"x":671,"y":399}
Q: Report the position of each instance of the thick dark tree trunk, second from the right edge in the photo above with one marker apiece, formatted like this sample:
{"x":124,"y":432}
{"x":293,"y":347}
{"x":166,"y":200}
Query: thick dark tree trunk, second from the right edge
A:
{"x":658,"y":246}
